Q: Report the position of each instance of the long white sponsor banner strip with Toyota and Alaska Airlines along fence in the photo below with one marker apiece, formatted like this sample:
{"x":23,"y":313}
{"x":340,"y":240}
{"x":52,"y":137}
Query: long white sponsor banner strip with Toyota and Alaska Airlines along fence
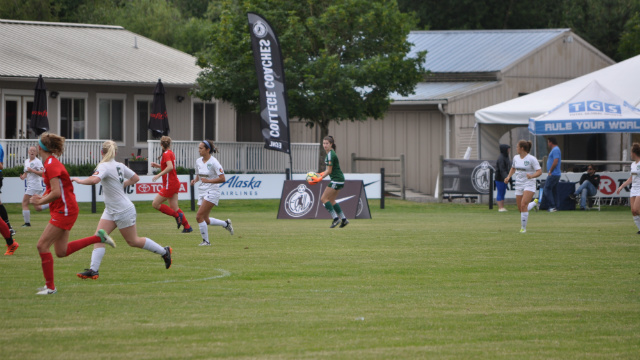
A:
{"x":237,"y":186}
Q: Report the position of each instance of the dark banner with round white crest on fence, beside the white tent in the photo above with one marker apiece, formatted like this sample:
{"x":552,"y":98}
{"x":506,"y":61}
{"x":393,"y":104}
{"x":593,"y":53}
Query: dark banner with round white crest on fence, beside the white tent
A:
{"x":466,"y":176}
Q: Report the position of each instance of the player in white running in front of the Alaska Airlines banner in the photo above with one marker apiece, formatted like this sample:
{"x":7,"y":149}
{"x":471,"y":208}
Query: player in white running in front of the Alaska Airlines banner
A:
{"x":210,"y":174}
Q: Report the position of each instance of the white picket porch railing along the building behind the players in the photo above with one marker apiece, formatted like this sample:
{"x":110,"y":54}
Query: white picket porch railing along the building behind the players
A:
{"x":237,"y":157}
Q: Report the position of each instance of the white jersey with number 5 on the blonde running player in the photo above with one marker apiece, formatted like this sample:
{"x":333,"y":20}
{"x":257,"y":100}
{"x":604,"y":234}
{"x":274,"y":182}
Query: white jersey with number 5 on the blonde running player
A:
{"x":112,"y":175}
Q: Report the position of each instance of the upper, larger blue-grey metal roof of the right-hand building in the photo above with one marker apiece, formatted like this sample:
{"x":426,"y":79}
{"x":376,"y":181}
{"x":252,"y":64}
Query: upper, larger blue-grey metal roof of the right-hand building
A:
{"x":478,"y":50}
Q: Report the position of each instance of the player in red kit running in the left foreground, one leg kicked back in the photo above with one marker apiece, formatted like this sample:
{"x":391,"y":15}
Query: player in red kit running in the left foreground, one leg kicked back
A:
{"x":63,"y":209}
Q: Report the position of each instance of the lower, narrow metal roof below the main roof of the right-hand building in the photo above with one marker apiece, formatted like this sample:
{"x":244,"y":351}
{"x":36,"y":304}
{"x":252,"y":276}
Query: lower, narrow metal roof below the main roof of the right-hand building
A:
{"x":440,"y":91}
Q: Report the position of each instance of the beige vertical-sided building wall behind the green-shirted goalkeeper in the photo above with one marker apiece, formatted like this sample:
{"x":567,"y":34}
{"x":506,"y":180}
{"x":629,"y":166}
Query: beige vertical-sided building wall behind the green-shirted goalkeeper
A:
{"x":419,"y":134}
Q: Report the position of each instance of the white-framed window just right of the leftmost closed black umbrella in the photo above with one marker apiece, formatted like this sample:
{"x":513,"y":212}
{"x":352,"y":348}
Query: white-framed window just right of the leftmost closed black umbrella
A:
{"x":72,"y":114}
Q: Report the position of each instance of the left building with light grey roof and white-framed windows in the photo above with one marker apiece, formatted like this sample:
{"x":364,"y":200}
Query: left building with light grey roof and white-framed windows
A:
{"x":100,"y":80}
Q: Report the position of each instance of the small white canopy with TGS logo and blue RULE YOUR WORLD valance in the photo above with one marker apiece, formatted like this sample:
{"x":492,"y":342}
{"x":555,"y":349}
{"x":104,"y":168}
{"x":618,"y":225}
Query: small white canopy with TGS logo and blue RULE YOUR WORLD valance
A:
{"x":593,"y":110}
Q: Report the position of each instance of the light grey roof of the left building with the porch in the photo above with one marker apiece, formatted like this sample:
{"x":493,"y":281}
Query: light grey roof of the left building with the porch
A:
{"x":89,"y":53}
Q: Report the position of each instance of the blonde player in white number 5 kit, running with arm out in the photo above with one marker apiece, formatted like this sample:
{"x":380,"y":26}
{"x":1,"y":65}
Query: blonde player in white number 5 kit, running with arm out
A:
{"x":119,"y":211}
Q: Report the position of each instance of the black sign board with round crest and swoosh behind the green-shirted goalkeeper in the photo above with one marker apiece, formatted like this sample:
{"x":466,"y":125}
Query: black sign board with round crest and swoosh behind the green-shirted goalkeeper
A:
{"x":302,"y":201}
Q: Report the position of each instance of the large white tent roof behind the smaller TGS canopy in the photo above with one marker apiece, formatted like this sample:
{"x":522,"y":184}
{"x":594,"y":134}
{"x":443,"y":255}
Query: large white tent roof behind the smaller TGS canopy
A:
{"x":622,"y":79}
